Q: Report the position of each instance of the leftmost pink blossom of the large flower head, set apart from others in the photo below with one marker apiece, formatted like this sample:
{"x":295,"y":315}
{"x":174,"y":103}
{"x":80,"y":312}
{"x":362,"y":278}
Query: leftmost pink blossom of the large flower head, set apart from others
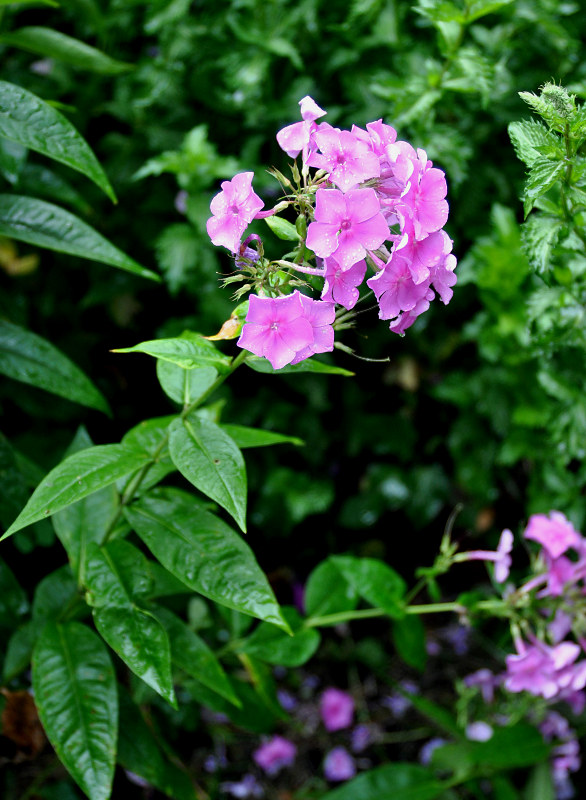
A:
{"x":233,"y":210}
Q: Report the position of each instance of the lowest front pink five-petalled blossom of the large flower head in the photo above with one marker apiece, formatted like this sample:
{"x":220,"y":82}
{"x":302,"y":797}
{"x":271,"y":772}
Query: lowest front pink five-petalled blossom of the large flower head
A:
{"x":276,"y":328}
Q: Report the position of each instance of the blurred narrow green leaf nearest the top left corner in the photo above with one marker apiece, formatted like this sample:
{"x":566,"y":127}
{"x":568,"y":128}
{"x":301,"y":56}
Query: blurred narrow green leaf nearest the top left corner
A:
{"x":53,"y":44}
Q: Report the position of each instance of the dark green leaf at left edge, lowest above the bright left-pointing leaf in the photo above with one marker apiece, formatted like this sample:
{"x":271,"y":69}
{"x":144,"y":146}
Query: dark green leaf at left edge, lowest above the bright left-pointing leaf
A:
{"x":27,"y":357}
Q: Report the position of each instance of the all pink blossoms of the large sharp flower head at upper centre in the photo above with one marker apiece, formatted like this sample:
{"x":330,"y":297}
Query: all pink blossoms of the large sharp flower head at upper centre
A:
{"x":377,"y":202}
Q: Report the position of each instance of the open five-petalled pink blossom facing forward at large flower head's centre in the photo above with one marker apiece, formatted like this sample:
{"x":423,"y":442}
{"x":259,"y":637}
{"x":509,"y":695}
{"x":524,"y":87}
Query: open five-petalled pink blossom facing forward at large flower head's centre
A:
{"x":346,"y":225}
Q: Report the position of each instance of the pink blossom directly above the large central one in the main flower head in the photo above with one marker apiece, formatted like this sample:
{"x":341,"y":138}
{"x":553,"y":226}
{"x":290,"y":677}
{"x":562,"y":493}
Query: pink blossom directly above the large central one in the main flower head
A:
{"x":348,"y":160}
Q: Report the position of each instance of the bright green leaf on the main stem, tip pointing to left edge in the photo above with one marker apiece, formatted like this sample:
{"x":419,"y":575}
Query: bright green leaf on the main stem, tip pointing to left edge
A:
{"x":76,"y":477}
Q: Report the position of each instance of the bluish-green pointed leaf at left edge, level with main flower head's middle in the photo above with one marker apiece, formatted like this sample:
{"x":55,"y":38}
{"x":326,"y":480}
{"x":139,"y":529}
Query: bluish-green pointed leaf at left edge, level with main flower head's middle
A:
{"x":46,"y":225}
